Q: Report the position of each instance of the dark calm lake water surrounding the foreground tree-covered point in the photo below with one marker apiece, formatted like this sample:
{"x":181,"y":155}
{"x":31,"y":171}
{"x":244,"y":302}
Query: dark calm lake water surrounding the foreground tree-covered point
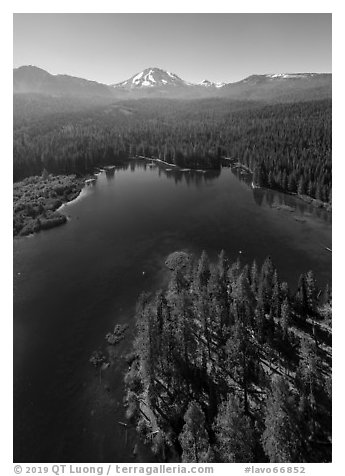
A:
{"x":73,"y":283}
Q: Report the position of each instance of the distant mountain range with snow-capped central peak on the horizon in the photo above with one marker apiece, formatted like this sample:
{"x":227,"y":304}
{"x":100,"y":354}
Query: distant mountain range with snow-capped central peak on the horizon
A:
{"x":155,"y":82}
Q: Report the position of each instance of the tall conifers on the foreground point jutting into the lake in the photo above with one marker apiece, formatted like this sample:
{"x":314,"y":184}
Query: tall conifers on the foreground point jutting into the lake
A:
{"x":230,"y":365}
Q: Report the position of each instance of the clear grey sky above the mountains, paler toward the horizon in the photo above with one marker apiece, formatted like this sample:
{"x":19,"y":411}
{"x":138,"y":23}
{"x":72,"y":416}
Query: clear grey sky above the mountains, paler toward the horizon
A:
{"x":220,"y":47}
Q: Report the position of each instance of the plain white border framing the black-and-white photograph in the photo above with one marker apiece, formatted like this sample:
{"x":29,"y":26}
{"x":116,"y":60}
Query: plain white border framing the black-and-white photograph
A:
{"x":64,"y":6}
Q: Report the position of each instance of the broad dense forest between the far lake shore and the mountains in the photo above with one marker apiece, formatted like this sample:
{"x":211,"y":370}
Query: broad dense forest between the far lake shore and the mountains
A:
{"x":287,"y":146}
